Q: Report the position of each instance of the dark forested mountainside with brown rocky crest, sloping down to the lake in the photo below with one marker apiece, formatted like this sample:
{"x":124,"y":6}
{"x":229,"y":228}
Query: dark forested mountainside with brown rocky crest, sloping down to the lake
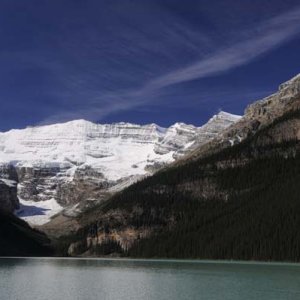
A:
{"x":235,"y":197}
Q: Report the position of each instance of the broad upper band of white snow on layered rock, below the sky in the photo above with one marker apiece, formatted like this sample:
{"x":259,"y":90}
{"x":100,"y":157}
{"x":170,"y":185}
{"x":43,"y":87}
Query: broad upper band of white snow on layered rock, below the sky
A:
{"x":111,"y":148}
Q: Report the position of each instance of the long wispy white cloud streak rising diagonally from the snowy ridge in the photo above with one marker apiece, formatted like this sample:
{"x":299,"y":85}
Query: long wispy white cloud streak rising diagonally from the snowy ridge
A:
{"x":246,"y":47}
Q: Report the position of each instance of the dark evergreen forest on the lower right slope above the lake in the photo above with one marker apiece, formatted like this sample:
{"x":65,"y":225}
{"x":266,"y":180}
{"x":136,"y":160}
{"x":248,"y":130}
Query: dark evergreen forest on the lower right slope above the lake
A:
{"x":261,"y":223}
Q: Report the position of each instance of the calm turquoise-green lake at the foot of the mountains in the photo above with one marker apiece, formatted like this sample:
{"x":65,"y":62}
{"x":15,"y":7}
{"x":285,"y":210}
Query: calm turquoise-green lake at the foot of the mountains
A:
{"x":51,"y":278}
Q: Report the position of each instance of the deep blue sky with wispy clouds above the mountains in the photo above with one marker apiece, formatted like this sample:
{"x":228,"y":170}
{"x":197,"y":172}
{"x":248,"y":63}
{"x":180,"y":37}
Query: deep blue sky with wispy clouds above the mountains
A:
{"x":142,"y":61}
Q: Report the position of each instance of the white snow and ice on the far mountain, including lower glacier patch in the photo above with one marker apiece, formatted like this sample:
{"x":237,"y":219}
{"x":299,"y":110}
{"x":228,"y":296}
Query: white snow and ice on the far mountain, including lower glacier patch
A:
{"x":121,"y":152}
